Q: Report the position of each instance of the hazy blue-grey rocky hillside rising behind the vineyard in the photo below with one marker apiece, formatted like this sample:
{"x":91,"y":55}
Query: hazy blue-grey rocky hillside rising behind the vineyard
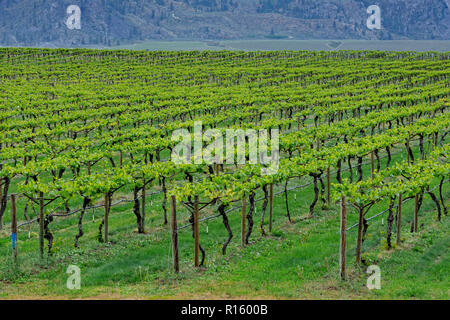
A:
{"x":116,"y":22}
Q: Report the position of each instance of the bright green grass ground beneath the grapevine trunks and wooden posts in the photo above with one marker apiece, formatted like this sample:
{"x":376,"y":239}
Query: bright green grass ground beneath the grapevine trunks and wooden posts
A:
{"x":295,"y":261}
